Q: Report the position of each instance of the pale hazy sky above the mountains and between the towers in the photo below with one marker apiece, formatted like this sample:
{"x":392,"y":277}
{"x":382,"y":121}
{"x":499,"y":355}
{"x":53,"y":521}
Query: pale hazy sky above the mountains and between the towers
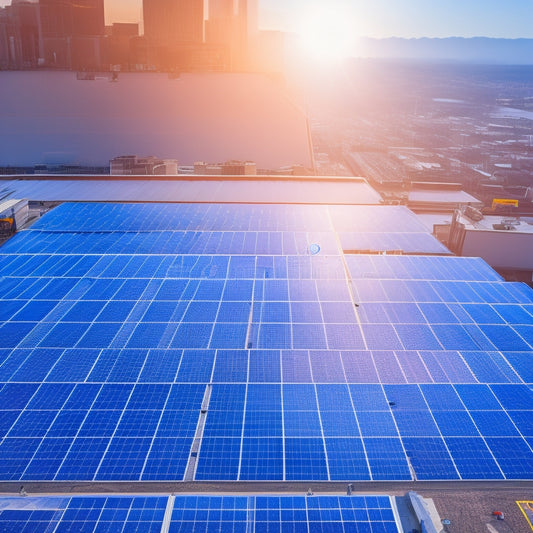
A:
{"x":385,"y":18}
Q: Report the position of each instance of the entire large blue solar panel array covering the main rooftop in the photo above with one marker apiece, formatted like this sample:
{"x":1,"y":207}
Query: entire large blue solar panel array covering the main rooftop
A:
{"x":122,"y":361}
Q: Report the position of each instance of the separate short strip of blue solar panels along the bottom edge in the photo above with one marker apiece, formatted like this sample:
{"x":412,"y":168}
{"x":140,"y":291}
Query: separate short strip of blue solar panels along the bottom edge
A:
{"x":199,"y":514}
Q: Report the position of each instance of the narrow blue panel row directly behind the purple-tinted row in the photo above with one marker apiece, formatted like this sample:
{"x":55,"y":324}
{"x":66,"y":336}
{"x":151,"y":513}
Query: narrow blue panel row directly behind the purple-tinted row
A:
{"x":224,"y":334}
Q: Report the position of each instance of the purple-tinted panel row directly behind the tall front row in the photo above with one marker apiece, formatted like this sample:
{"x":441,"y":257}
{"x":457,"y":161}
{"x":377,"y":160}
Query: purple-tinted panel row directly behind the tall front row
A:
{"x":260,"y":366}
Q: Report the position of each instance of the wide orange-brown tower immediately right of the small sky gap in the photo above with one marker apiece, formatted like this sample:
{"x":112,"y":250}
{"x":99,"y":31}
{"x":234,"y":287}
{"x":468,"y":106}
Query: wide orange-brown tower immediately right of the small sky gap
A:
{"x":170,"y":22}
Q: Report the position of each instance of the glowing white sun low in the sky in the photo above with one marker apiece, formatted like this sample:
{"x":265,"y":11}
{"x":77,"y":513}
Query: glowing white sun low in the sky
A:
{"x":327,"y":33}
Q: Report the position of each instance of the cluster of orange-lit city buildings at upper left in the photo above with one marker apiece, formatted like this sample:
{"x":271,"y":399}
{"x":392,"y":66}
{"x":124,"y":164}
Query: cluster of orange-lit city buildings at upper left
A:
{"x":57,"y":34}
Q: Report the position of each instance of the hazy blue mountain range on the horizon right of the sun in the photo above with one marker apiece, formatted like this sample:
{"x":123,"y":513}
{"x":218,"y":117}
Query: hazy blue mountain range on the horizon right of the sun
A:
{"x":468,"y":50}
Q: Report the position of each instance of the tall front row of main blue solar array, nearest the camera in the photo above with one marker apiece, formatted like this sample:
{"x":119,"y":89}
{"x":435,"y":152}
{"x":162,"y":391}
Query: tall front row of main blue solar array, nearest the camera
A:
{"x":266,"y":432}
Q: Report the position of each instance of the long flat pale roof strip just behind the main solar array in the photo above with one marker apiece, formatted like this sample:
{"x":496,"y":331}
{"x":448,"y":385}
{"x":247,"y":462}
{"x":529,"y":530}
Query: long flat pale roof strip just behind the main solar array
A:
{"x":202,"y":189}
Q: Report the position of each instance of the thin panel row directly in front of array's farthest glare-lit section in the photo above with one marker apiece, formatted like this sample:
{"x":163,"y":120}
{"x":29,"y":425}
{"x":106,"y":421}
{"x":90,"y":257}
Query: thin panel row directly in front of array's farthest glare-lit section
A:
{"x":425,"y":268}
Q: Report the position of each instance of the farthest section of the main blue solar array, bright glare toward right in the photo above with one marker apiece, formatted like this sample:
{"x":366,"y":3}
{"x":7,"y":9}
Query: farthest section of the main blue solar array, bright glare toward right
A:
{"x":228,"y":229}
